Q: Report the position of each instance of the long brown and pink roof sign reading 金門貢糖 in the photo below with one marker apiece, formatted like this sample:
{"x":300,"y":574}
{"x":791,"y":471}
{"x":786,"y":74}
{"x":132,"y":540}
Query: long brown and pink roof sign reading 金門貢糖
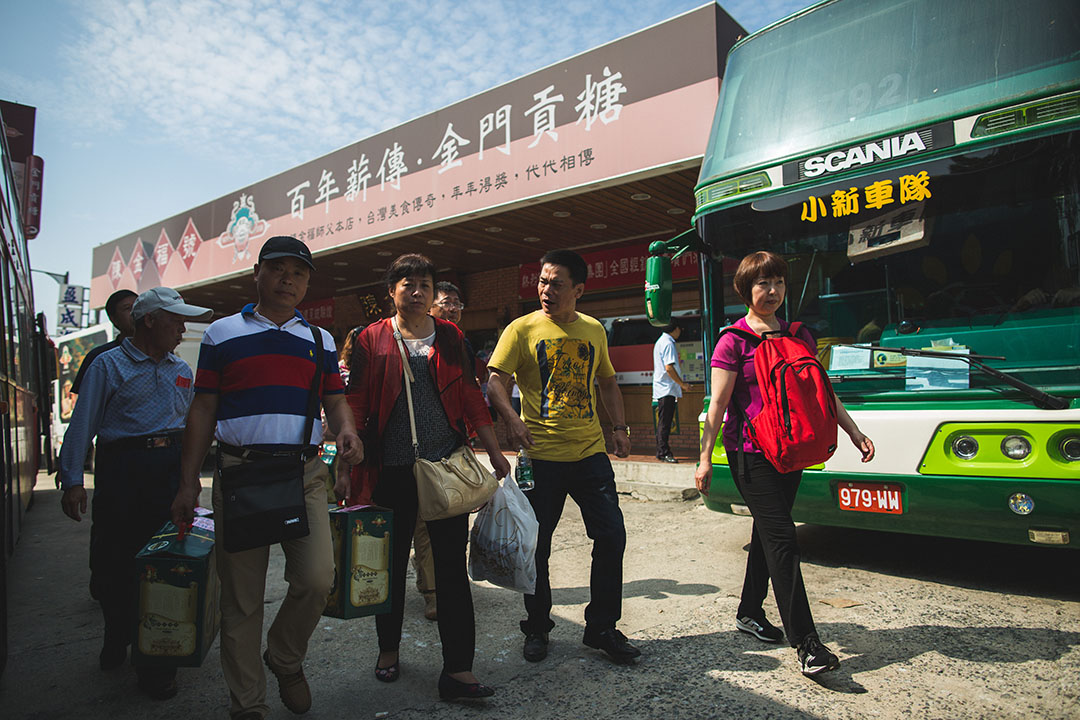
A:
{"x":592,"y":119}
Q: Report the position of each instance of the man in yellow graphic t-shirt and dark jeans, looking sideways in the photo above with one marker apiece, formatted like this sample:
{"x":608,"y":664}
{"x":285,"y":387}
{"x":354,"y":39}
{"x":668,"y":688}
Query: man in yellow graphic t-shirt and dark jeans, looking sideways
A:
{"x":560,"y":358}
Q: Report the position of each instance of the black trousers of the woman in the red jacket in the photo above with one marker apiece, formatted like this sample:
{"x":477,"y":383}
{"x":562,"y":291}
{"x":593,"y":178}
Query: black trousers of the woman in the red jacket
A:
{"x":457,"y":626}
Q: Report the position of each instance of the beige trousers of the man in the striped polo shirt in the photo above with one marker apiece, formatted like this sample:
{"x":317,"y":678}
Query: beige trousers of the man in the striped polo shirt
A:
{"x":309,"y":572}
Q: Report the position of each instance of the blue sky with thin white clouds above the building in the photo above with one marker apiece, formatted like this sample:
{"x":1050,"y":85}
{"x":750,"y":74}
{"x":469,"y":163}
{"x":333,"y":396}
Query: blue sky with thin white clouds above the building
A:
{"x":150,"y":107}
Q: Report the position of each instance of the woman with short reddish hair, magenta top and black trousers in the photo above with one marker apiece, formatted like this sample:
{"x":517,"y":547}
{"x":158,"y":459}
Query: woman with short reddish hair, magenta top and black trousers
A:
{"x":761,"y":281}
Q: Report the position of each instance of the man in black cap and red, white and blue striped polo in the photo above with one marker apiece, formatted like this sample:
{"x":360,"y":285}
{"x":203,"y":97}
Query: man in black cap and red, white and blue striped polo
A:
{"x":255,"y":374}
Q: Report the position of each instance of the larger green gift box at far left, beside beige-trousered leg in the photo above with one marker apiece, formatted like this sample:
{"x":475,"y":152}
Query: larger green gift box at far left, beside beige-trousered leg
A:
{"x":178,"y":597}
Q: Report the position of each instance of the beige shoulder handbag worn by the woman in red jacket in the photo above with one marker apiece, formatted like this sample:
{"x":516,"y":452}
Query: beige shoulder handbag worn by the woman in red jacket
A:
{"x":452,"y":486}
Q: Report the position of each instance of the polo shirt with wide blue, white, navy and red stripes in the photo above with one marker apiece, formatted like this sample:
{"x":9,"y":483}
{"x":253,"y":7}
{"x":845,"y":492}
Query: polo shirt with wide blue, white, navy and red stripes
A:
{"x":262,"y":374}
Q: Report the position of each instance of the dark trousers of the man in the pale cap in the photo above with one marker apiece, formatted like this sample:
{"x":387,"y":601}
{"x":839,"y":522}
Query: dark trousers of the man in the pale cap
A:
{"x":133,"y":496}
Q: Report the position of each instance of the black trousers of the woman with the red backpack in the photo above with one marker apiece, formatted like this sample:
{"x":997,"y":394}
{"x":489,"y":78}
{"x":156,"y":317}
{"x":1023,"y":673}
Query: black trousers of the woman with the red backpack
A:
{"x":774,"y":547}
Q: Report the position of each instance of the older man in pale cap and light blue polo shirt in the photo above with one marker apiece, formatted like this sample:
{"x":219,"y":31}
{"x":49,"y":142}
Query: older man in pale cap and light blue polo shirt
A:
{"x":134,"y":400}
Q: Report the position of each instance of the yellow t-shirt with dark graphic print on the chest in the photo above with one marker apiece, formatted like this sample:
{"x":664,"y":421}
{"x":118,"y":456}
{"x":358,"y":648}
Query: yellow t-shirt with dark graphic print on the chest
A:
{"x":557,"y":366}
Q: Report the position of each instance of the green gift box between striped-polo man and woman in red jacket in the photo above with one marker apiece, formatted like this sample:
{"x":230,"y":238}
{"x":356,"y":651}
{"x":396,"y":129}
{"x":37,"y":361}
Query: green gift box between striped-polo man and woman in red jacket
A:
{"x":362,"y":539}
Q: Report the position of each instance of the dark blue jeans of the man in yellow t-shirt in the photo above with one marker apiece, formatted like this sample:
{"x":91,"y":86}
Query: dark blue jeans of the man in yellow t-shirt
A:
{"x":591,"y":484}
